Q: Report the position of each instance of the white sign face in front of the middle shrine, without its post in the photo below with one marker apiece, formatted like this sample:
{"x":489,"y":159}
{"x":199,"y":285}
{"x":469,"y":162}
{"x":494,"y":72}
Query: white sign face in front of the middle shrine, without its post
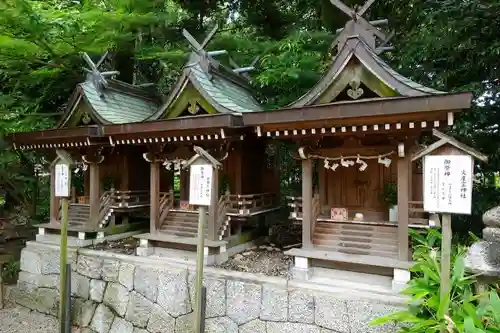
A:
{"x":200,"y":184}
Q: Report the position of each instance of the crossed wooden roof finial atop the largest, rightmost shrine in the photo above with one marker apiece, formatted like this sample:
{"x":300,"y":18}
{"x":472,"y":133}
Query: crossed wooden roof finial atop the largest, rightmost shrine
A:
{"x":358,"y":25}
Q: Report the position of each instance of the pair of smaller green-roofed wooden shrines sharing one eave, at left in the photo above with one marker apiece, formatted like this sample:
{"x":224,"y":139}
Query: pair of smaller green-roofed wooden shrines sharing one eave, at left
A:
{"x":131,"y":146}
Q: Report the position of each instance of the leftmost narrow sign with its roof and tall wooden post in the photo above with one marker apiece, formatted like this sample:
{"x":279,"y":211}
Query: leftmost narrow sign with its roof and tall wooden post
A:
{"x":63,"y":191}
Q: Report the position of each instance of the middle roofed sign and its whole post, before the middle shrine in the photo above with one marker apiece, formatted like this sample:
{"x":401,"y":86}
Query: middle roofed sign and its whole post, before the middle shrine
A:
{"x":202,"y":167}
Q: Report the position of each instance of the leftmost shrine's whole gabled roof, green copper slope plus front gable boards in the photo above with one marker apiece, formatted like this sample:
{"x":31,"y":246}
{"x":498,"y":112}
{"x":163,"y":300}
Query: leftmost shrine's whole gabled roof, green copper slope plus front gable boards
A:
{"x":118,"y":103}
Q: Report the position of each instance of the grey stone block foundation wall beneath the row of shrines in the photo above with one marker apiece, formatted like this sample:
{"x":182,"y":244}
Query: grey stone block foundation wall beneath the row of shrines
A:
{"x":127,"y":294}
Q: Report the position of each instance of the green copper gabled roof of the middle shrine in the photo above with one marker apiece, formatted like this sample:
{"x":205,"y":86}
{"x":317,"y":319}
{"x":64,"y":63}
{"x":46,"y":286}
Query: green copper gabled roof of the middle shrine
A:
{"x":224,"y":90}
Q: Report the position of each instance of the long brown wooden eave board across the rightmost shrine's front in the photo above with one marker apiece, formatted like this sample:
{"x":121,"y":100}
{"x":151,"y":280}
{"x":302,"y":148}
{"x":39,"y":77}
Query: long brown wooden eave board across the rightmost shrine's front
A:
{"x":363,"y":109}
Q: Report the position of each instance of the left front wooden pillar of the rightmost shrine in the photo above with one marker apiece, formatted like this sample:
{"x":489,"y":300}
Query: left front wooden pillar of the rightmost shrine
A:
{"x":307,"y":194}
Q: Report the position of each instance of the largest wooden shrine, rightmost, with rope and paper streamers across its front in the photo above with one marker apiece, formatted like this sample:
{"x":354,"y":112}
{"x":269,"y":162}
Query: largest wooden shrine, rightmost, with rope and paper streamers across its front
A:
{"x":356,"y":131}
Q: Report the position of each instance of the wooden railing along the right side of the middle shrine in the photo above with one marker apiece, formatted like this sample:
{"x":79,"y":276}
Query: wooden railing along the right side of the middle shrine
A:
{"x":251,"y":204}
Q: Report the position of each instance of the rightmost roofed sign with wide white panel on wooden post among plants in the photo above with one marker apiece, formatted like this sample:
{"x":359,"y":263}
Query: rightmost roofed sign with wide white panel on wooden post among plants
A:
{"x":448,"y":173}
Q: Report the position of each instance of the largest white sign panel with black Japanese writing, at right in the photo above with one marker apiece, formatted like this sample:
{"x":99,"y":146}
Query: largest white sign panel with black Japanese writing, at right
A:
{"x":448,"y":184}
